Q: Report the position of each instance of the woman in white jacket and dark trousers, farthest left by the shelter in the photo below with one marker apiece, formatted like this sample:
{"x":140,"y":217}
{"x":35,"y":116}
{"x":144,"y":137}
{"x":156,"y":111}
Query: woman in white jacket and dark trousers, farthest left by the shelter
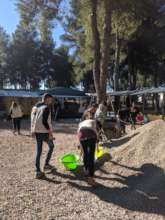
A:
{"x":16,"y":115}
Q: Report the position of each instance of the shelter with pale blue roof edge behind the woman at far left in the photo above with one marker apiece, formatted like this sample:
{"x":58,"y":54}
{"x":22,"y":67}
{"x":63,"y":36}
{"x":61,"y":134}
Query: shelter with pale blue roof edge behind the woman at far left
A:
{"x":25,"y":98}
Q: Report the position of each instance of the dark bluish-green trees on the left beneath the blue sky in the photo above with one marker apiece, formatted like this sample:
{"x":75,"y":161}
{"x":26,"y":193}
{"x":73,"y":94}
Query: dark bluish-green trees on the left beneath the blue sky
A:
{"x":30,"y":58}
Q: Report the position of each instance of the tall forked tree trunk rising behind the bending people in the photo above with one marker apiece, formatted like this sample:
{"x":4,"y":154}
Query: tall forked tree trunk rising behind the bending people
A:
{"x":101,"y":57}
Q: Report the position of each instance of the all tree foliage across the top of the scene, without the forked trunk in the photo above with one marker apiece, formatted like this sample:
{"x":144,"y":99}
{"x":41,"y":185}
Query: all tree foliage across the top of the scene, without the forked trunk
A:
{"x":137,"y":44}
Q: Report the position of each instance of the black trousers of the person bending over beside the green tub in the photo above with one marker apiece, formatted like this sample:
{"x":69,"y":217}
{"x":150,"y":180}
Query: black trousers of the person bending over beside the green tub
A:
{"x":89,"y":155}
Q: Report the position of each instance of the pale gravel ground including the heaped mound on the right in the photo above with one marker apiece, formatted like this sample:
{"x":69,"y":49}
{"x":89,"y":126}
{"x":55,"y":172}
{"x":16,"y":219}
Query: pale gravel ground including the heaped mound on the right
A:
{"x":131,"y":183}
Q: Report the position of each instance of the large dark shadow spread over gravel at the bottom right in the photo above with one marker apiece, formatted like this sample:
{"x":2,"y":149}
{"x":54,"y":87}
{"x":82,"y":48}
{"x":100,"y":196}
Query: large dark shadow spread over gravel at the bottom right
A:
{"x":143,"y":192}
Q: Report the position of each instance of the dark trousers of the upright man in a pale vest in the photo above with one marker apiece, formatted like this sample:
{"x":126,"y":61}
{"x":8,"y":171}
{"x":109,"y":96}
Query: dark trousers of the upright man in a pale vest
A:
{"x":40,"y":138}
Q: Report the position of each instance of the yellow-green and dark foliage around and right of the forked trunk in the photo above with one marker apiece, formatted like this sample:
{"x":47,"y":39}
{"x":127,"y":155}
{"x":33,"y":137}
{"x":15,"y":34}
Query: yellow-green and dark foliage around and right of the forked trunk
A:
{"x":140,"y":27}
